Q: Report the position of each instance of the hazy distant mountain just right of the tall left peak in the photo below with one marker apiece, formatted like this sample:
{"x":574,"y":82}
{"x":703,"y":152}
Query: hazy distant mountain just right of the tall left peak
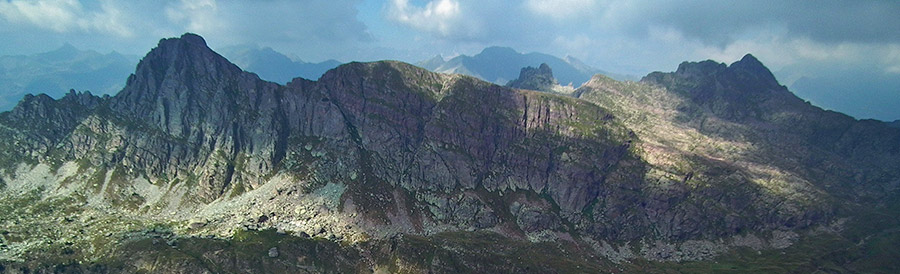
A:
{"x":274,"y":66}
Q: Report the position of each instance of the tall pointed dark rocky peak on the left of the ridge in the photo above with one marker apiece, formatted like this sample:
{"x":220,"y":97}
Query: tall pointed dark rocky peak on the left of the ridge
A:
{"x":186,"y":89}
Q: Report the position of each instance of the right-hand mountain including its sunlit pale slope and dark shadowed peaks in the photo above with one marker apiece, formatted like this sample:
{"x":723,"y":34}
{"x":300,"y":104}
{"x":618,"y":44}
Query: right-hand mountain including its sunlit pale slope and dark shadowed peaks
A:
{"x":739,"y":117}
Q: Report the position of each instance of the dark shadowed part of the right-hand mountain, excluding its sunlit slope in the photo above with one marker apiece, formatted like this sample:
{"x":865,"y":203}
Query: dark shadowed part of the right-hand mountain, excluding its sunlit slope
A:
{"x":783,"y":128}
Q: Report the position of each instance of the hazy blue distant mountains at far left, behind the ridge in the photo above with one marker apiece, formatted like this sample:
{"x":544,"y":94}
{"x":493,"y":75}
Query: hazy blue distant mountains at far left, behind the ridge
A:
{"x":55,"y":72}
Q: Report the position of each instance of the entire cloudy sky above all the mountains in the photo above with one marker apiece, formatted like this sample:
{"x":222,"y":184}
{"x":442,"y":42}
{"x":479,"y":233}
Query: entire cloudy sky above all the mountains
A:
{"x":854,"y":40}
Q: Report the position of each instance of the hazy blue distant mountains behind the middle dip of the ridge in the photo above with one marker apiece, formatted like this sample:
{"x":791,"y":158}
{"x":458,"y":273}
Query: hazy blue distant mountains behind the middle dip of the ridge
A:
{"x":501,"y":65}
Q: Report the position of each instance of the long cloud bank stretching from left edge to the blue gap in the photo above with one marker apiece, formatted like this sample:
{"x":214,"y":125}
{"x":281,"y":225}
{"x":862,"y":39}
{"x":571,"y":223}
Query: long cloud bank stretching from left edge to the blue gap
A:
{"x":315,"y":29}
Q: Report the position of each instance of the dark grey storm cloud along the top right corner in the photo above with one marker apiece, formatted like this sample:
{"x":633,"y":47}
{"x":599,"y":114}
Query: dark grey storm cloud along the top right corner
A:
{"x":722,"y":22}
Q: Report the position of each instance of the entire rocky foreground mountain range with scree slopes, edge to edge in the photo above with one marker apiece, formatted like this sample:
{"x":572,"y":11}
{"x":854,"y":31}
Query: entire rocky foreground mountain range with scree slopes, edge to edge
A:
{"x":199,"y":166}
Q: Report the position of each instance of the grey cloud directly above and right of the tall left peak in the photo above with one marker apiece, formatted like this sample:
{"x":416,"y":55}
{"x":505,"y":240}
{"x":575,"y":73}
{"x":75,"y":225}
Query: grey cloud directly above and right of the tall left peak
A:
{"x":317,"y":29}
